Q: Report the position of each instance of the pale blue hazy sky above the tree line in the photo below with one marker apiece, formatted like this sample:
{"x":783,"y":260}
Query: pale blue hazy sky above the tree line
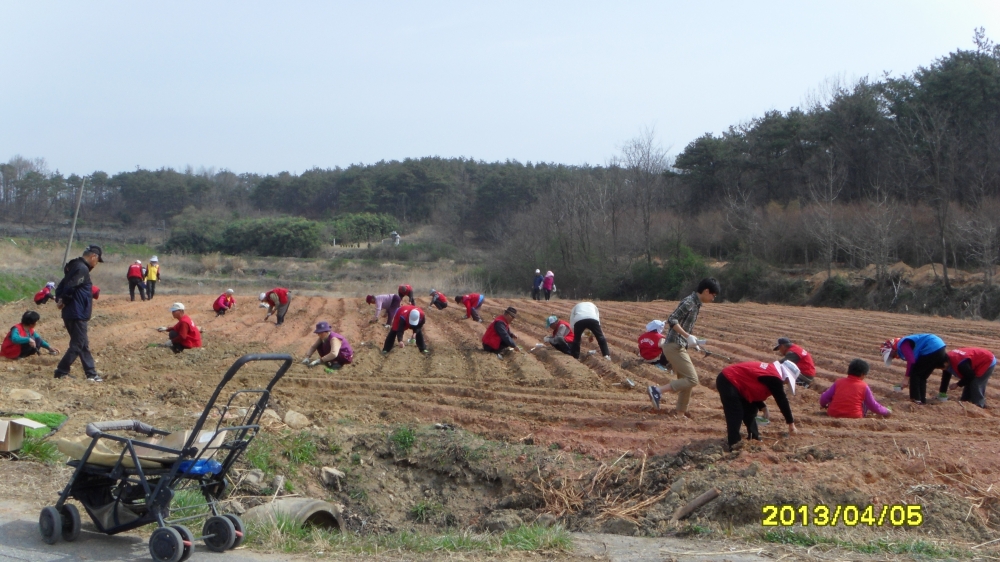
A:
{"x":267,"y":87}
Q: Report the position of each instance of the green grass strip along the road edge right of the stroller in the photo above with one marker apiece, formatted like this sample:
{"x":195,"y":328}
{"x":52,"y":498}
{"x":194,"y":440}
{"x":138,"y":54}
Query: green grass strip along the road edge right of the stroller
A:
{"x":286,"y":536}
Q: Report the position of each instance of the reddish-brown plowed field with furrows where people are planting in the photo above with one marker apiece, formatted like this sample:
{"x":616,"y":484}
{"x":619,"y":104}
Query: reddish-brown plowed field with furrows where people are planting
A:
{"x":945,"y":456}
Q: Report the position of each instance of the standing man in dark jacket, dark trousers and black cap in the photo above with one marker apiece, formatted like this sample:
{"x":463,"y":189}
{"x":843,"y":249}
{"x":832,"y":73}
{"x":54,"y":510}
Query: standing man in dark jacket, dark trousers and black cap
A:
{"x":75,"y":299}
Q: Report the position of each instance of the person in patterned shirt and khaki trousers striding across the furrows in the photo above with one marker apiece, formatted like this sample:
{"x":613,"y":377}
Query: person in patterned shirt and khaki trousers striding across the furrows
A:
{"x":679,"y":337}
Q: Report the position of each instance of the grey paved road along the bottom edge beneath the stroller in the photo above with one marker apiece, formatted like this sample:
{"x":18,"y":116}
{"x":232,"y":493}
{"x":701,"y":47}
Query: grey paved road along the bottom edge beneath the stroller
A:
{"x":20,"y":541}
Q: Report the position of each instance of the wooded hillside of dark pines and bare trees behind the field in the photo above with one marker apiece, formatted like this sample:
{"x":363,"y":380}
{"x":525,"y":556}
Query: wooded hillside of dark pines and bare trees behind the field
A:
{"x":881,"y":170}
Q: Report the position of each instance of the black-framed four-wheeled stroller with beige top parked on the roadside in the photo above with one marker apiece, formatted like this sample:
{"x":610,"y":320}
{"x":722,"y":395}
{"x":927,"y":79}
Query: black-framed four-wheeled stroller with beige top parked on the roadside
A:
{"x":126,"y":489}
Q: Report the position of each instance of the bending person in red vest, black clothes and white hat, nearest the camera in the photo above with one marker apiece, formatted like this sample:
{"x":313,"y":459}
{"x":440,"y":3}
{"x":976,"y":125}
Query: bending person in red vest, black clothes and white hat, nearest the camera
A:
{"x":742,"y":385}
